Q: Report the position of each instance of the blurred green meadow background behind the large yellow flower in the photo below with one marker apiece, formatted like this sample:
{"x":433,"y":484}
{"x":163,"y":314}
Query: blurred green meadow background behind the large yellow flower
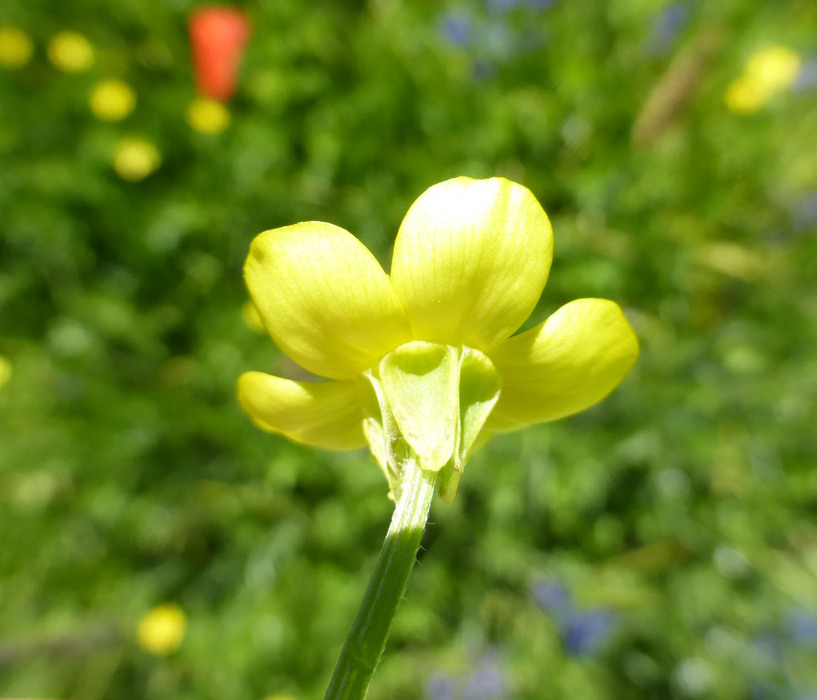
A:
{"x":661,"y":545}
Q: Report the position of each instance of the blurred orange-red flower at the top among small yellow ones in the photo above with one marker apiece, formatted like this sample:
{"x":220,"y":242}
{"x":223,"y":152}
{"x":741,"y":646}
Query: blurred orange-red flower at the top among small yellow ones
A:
{"x":218,"y":36}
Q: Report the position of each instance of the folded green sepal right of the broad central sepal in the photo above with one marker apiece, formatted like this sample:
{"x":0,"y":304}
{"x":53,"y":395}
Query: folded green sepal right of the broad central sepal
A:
{"x":478,"y":393}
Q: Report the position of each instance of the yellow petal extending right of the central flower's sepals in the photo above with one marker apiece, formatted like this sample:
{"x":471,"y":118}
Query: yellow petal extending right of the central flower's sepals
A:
{"x":564,"y":365}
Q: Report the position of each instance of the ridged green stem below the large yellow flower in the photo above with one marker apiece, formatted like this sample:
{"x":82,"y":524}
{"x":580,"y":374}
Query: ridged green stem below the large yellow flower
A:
{"x":367,"y":638}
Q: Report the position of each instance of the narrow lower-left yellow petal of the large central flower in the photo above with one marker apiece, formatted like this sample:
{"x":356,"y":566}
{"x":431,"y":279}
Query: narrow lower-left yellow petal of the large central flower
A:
{"x":321,"y":414}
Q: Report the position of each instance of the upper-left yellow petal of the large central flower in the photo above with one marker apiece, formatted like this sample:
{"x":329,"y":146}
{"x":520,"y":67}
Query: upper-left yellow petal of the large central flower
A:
{"x":324,"y":298}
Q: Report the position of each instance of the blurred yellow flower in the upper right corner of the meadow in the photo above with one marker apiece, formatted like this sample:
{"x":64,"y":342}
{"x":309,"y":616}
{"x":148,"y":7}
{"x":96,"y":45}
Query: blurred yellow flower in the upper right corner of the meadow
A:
{"x":768,"y":72}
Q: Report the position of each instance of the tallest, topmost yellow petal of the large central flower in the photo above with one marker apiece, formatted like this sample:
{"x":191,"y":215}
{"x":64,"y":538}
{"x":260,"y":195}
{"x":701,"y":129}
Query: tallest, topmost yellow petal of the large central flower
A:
{"x":470,"y":261}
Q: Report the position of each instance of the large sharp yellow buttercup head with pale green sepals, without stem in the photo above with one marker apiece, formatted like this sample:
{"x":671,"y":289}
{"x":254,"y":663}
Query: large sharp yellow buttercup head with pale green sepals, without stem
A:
{"x":422,"y":361}
